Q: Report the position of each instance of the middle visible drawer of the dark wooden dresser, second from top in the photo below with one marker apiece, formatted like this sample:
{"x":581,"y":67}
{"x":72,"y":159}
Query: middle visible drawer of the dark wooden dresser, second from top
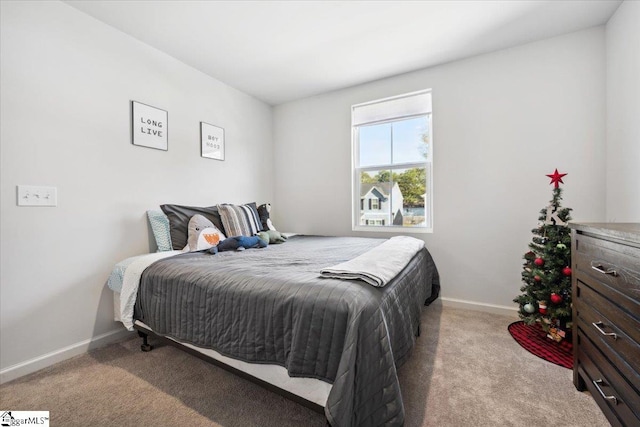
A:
{"x":593,"y":318}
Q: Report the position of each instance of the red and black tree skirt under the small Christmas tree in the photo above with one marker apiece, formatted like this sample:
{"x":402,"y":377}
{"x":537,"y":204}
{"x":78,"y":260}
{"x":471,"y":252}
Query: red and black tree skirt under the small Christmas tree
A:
{"x":534,"y":339}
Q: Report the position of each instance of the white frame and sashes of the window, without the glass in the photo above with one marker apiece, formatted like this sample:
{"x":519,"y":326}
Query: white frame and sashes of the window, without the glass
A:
{"x":356,"y":171}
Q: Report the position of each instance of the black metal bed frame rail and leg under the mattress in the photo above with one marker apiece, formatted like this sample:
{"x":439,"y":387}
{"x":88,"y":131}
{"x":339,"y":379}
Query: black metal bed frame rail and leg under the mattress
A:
{"x":145,"y":333}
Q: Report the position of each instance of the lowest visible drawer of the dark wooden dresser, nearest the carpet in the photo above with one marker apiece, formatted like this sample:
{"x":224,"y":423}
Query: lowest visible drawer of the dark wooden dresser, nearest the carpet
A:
{"x":613,"y":394}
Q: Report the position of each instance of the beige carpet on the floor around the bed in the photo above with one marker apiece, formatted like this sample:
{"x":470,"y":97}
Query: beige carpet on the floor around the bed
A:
{"x":466,"y":370}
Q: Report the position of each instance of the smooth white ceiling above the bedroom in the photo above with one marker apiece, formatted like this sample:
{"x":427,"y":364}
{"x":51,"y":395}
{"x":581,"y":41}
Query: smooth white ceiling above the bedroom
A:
{"x":279,"y":51}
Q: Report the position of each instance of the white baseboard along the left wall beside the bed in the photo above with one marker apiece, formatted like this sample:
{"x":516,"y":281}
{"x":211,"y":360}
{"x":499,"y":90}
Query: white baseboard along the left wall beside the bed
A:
{"x":20,"y":369}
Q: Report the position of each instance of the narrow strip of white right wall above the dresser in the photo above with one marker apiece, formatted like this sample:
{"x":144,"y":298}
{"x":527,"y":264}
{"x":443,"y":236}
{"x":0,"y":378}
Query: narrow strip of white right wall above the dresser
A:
{"x":623,"y":112}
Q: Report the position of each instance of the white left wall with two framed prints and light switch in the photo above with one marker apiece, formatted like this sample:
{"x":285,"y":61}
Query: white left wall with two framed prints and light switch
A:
{"x":66,"y":83}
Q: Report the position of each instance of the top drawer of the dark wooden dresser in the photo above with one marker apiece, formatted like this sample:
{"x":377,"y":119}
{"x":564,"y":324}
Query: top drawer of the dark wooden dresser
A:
{"x":608,"y":262}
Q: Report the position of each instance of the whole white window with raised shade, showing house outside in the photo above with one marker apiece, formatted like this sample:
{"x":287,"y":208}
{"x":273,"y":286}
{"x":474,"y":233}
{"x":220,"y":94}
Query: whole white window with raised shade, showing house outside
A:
{"x":392,"y":163}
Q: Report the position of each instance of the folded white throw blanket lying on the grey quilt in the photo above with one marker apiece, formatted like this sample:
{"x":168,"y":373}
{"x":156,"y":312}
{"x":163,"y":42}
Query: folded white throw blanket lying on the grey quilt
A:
{"x":379,"y":265}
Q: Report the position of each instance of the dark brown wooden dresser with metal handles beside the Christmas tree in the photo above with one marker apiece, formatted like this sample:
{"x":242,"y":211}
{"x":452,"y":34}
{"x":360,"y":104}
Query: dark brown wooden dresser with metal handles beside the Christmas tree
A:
{"x":606,"y":317}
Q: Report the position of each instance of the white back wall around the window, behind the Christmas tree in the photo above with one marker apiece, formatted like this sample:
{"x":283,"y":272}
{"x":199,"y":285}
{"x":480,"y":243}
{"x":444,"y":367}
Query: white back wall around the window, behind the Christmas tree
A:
{"x":501,"y":121}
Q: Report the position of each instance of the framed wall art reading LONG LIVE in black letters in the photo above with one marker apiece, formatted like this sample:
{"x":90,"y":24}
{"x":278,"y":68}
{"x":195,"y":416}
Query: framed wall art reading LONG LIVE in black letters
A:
{"x":149,"y":126}
